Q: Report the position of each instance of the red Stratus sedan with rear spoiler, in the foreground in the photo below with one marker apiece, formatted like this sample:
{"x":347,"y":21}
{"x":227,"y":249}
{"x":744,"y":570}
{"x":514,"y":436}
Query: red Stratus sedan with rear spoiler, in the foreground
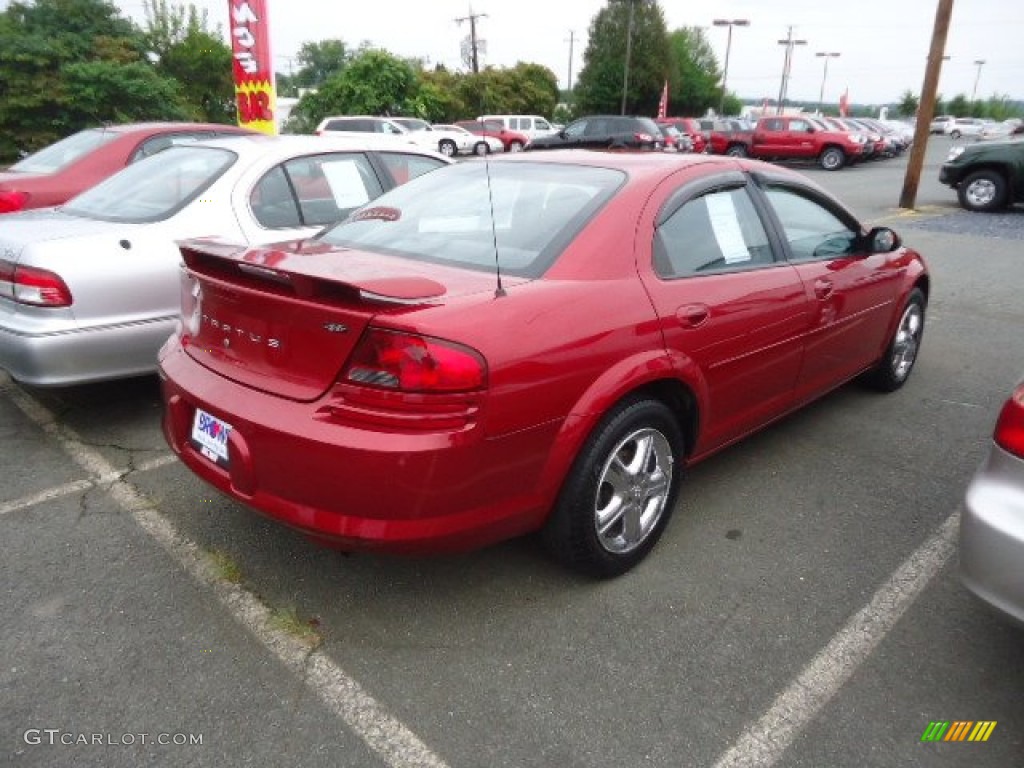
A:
{"x":541,"y":344}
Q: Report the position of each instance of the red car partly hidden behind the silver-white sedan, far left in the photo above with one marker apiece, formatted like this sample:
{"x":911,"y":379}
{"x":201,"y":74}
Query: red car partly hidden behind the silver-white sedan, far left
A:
{"x":59,"y":173}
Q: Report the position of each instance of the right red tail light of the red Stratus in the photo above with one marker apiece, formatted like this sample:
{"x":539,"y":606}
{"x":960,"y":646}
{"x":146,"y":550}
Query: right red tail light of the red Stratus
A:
{"x":410,"y":363}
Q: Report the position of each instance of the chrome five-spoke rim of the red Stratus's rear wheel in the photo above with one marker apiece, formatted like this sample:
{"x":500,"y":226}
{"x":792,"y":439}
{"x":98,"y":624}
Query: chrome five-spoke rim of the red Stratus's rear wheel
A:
{"x":633,"y":490}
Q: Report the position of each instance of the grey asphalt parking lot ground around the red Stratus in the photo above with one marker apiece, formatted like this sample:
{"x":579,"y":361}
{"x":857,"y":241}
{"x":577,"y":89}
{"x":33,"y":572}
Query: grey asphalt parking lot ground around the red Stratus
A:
{"x":803,"y":608}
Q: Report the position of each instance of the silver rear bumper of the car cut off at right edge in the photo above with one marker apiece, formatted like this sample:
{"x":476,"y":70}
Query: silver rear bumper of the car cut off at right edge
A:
{"x":992,"y":546}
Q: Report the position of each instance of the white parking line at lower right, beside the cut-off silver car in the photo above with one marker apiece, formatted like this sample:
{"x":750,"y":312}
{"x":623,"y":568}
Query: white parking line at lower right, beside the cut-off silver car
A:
{"x":763,"y":744}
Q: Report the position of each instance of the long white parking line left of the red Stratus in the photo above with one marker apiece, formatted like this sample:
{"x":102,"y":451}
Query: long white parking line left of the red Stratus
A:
{"x":388,"y":737}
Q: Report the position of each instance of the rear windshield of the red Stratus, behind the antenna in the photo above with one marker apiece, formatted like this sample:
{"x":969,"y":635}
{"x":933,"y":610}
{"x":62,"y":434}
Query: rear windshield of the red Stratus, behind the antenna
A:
{"x":447,"y":218}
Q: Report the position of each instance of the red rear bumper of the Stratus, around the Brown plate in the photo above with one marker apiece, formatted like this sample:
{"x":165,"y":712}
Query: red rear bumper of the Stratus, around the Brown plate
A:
{"x":356,"y":487}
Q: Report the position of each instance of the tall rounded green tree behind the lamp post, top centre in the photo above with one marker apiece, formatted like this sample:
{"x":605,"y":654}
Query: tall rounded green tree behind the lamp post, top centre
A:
{"x":600,"y":88}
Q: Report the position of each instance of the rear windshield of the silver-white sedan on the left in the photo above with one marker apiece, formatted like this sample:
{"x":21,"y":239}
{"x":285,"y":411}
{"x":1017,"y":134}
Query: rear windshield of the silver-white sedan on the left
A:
{"x":156,"y":188}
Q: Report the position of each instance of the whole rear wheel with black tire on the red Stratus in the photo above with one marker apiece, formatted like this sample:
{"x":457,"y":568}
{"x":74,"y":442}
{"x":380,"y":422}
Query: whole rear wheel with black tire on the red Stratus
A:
{"x":621,"y":491}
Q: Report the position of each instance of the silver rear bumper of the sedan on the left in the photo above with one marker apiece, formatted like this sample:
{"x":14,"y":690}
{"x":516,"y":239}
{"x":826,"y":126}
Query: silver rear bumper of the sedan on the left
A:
{"x":86,"y":355}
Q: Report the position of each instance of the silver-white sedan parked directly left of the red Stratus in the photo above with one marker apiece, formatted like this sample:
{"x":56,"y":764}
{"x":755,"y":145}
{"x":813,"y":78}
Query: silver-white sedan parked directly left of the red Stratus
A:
{"x":91,"y":290}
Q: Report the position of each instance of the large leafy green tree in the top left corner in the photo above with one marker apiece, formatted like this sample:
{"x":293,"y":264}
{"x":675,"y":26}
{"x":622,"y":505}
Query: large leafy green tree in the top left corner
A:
{"x":49,"y":52}
